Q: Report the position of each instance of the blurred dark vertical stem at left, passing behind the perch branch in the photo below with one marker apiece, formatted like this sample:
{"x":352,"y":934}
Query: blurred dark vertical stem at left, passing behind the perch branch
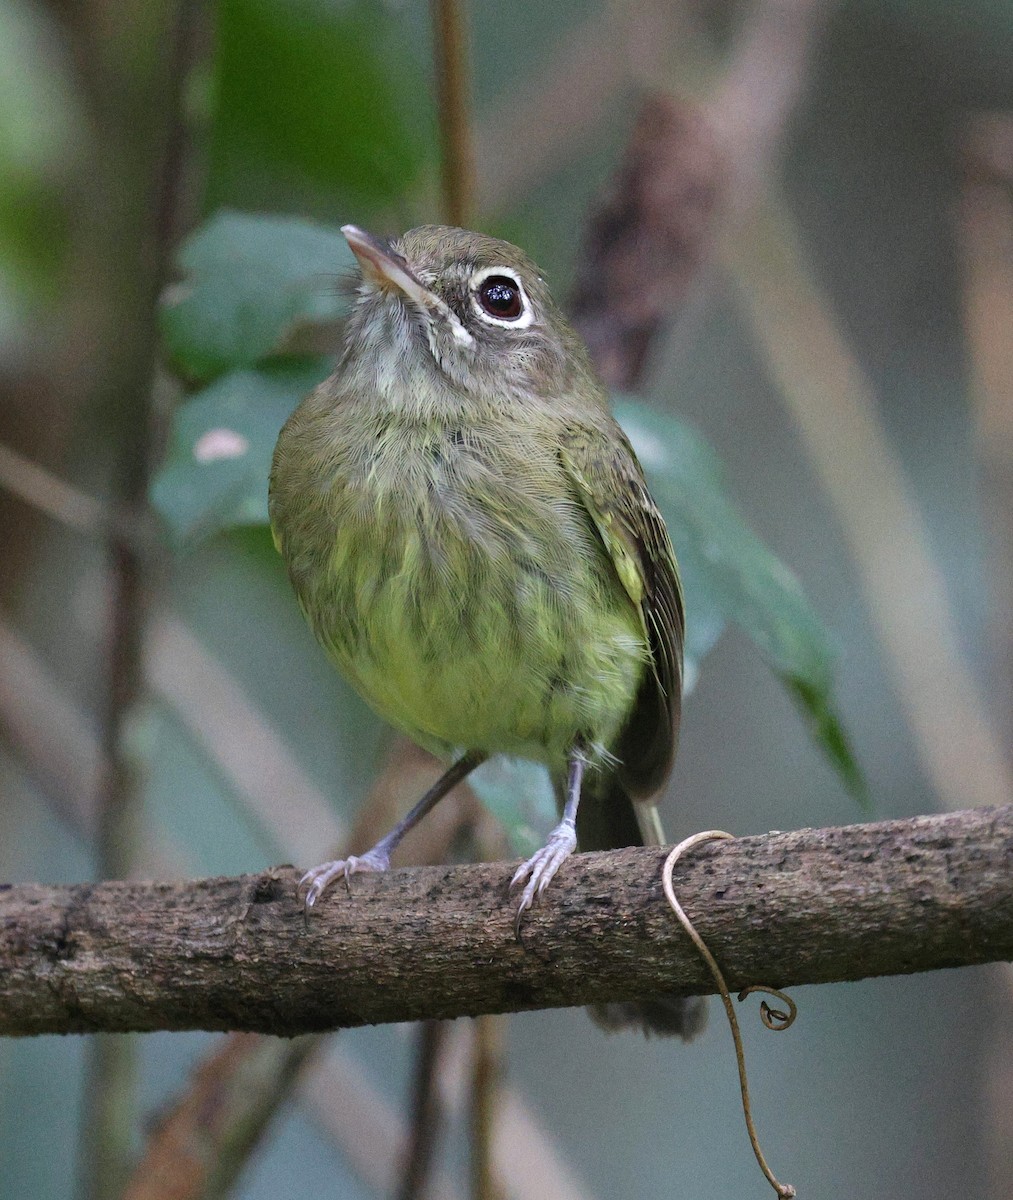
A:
{"x":139,"y":98}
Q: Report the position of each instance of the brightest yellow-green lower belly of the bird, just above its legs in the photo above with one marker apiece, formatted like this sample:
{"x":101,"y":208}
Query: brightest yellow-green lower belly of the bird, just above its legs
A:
{"x":500,"y":659}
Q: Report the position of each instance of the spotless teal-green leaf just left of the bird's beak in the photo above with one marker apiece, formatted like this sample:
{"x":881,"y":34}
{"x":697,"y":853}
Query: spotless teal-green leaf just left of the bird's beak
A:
{"x":249,"y":280}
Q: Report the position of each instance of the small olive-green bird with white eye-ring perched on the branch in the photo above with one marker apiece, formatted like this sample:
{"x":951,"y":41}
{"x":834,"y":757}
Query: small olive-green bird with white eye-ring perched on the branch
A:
{"x":472,"y":541}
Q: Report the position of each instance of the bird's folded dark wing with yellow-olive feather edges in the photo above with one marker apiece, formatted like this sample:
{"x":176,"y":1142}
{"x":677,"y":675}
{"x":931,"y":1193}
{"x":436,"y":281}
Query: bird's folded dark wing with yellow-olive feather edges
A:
{"x":610,"y":484}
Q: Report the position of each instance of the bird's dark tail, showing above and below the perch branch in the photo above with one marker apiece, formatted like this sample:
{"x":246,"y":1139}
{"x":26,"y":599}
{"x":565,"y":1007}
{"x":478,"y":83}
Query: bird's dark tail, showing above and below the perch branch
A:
{"x":607,"y":820}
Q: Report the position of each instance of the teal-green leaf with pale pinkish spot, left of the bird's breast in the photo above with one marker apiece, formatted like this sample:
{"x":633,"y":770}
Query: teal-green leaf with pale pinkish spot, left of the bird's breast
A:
{"x":215,"y":476}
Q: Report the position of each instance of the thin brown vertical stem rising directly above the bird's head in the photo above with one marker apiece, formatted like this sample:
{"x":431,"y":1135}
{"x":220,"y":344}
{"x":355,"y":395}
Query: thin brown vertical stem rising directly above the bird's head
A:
{"x":451,"y":39}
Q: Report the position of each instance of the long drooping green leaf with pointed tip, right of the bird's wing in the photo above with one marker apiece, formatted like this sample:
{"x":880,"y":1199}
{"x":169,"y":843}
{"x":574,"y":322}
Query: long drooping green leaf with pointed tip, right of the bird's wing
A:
{"x":730,"y":575}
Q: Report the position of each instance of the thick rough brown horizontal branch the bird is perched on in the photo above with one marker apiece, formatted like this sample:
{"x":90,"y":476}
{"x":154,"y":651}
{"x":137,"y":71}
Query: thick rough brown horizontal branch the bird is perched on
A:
{"x":813,"y":907}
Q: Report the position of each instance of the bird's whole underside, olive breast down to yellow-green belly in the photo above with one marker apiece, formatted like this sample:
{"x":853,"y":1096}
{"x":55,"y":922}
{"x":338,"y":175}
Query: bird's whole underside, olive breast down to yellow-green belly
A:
{"x":459,"y":583}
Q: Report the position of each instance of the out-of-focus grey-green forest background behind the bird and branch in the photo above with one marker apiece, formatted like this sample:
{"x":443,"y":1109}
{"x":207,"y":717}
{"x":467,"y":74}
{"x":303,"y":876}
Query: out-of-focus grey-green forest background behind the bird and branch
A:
{"x":866,"y":437}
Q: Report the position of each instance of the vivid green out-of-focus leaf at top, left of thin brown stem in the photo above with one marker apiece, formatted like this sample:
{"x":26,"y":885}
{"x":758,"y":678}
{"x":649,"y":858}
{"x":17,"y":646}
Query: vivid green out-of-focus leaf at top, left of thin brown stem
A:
{"x":335,"y":95}
